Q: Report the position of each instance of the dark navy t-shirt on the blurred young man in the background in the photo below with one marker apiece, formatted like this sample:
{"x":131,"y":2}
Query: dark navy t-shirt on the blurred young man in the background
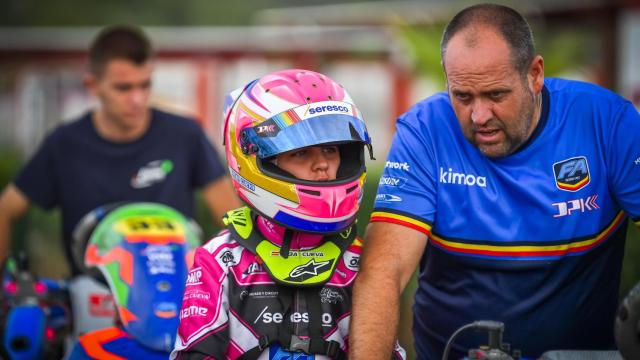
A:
{"x":78,"y":170}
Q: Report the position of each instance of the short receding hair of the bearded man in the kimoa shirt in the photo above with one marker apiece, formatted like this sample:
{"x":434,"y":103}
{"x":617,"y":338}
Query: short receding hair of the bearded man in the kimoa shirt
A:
{"x":509,"y":24}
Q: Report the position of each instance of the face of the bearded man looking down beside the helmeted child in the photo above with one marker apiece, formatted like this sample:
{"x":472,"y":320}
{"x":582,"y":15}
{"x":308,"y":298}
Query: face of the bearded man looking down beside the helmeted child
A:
{"x":494,"y":104}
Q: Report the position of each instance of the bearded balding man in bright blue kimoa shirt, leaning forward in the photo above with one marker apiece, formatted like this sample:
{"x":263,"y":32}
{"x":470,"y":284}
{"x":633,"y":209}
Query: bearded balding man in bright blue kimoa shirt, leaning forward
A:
{"x":511,"y":192}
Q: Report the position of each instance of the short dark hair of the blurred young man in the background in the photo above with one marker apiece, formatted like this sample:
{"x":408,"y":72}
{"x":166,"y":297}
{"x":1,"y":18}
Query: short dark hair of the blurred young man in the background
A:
{"x":119,"y":42}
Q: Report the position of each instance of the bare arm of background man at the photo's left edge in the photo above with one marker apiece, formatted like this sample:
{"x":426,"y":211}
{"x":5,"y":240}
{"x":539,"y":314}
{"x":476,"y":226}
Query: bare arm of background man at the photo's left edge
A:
{"x":13,"y":205}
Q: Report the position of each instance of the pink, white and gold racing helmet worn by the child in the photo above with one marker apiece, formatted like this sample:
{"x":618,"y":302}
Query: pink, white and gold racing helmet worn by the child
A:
{"x":288,"y":110}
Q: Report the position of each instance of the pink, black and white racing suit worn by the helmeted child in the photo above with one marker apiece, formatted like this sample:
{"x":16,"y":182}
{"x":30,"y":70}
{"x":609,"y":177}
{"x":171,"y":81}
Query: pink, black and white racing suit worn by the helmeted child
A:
{"x":232,"y":307}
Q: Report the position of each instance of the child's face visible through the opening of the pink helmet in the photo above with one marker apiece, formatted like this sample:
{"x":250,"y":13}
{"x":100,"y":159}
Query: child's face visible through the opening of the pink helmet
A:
{"x":315,"y":163}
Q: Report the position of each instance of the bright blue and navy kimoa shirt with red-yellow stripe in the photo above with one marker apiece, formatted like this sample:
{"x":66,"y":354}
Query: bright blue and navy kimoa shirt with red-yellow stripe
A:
{"x":534,"y":239}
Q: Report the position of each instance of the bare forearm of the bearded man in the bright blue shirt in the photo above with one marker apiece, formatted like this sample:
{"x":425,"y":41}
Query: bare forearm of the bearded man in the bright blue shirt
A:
{"x":390,"y":255}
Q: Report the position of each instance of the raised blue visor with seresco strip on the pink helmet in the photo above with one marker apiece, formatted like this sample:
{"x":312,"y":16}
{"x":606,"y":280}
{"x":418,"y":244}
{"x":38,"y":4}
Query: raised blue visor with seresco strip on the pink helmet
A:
{"x":289,"y":131}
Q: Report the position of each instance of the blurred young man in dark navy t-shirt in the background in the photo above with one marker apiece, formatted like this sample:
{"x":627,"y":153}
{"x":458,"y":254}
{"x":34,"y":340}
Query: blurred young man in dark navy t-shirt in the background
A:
{"x":122,"y":151}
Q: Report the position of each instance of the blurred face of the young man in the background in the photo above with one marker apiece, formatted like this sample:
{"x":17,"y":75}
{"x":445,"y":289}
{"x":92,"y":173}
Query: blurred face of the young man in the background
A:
{"x":123,"y":89}
